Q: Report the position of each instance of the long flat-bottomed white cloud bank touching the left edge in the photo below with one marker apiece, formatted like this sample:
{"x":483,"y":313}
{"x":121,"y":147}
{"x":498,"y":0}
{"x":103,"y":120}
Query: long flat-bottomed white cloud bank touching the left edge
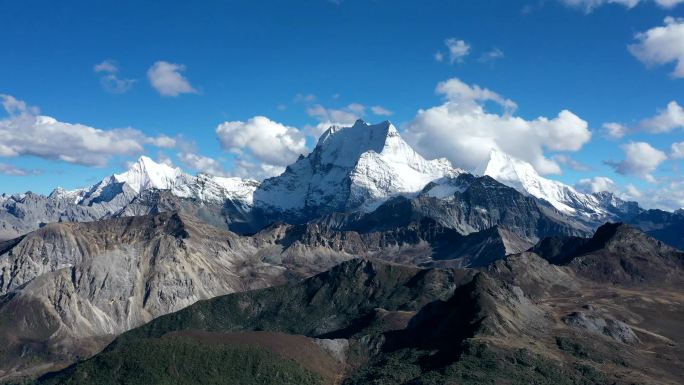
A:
{"x":25,"y":132}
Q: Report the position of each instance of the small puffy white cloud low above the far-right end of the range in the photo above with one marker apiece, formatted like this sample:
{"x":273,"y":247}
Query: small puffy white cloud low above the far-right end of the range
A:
{"x":641,"y":159}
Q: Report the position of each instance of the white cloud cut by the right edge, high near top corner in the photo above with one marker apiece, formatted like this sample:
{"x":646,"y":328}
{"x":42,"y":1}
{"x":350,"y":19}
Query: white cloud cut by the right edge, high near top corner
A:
{"x":662,"y":45}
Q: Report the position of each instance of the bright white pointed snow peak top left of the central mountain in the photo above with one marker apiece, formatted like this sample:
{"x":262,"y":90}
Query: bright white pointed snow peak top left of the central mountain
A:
{"x":146,"y":174}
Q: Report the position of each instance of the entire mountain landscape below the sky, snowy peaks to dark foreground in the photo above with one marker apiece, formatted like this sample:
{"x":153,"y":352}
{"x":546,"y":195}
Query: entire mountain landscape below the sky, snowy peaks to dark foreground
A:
{"x":362,"y":263}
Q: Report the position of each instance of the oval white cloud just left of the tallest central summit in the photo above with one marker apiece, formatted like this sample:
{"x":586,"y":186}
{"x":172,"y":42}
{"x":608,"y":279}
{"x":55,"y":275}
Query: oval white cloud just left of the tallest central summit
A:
{"x":262,"y":139}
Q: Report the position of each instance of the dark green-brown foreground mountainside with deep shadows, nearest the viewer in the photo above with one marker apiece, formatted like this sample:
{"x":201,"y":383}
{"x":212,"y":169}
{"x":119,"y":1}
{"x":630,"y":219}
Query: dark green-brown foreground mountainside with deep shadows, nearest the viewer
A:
{"x":392,"y":324}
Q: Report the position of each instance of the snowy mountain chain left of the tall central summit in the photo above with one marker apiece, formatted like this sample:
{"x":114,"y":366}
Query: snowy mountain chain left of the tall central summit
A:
{"x":111,"y":197}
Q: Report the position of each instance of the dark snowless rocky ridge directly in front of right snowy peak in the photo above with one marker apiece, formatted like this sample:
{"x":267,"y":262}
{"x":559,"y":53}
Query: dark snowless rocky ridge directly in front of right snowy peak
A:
{"x":467,"y":204}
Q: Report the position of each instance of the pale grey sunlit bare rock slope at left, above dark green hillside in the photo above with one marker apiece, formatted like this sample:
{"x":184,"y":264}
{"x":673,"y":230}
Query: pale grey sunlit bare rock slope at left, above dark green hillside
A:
{"x":71,"y":287}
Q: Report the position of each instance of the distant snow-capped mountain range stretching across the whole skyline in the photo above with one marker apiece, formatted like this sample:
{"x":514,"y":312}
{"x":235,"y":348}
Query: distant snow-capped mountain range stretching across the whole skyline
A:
{"x":352,"y":171}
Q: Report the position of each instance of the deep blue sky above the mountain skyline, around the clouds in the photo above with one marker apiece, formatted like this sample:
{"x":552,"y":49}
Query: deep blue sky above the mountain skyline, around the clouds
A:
{"x":304,"y":63}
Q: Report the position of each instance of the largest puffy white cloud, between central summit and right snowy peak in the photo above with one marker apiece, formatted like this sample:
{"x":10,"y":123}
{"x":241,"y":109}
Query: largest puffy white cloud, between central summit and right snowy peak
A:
{"x":462,"y":130}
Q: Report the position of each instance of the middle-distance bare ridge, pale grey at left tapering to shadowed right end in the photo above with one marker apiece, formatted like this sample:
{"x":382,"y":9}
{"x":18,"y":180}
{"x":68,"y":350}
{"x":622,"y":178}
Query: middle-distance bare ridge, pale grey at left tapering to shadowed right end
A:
{"x":70,"y":287}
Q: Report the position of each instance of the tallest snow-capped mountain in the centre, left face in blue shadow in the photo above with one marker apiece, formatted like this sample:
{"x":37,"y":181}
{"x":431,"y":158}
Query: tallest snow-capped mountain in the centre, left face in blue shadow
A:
{"x":351,"y":168}
